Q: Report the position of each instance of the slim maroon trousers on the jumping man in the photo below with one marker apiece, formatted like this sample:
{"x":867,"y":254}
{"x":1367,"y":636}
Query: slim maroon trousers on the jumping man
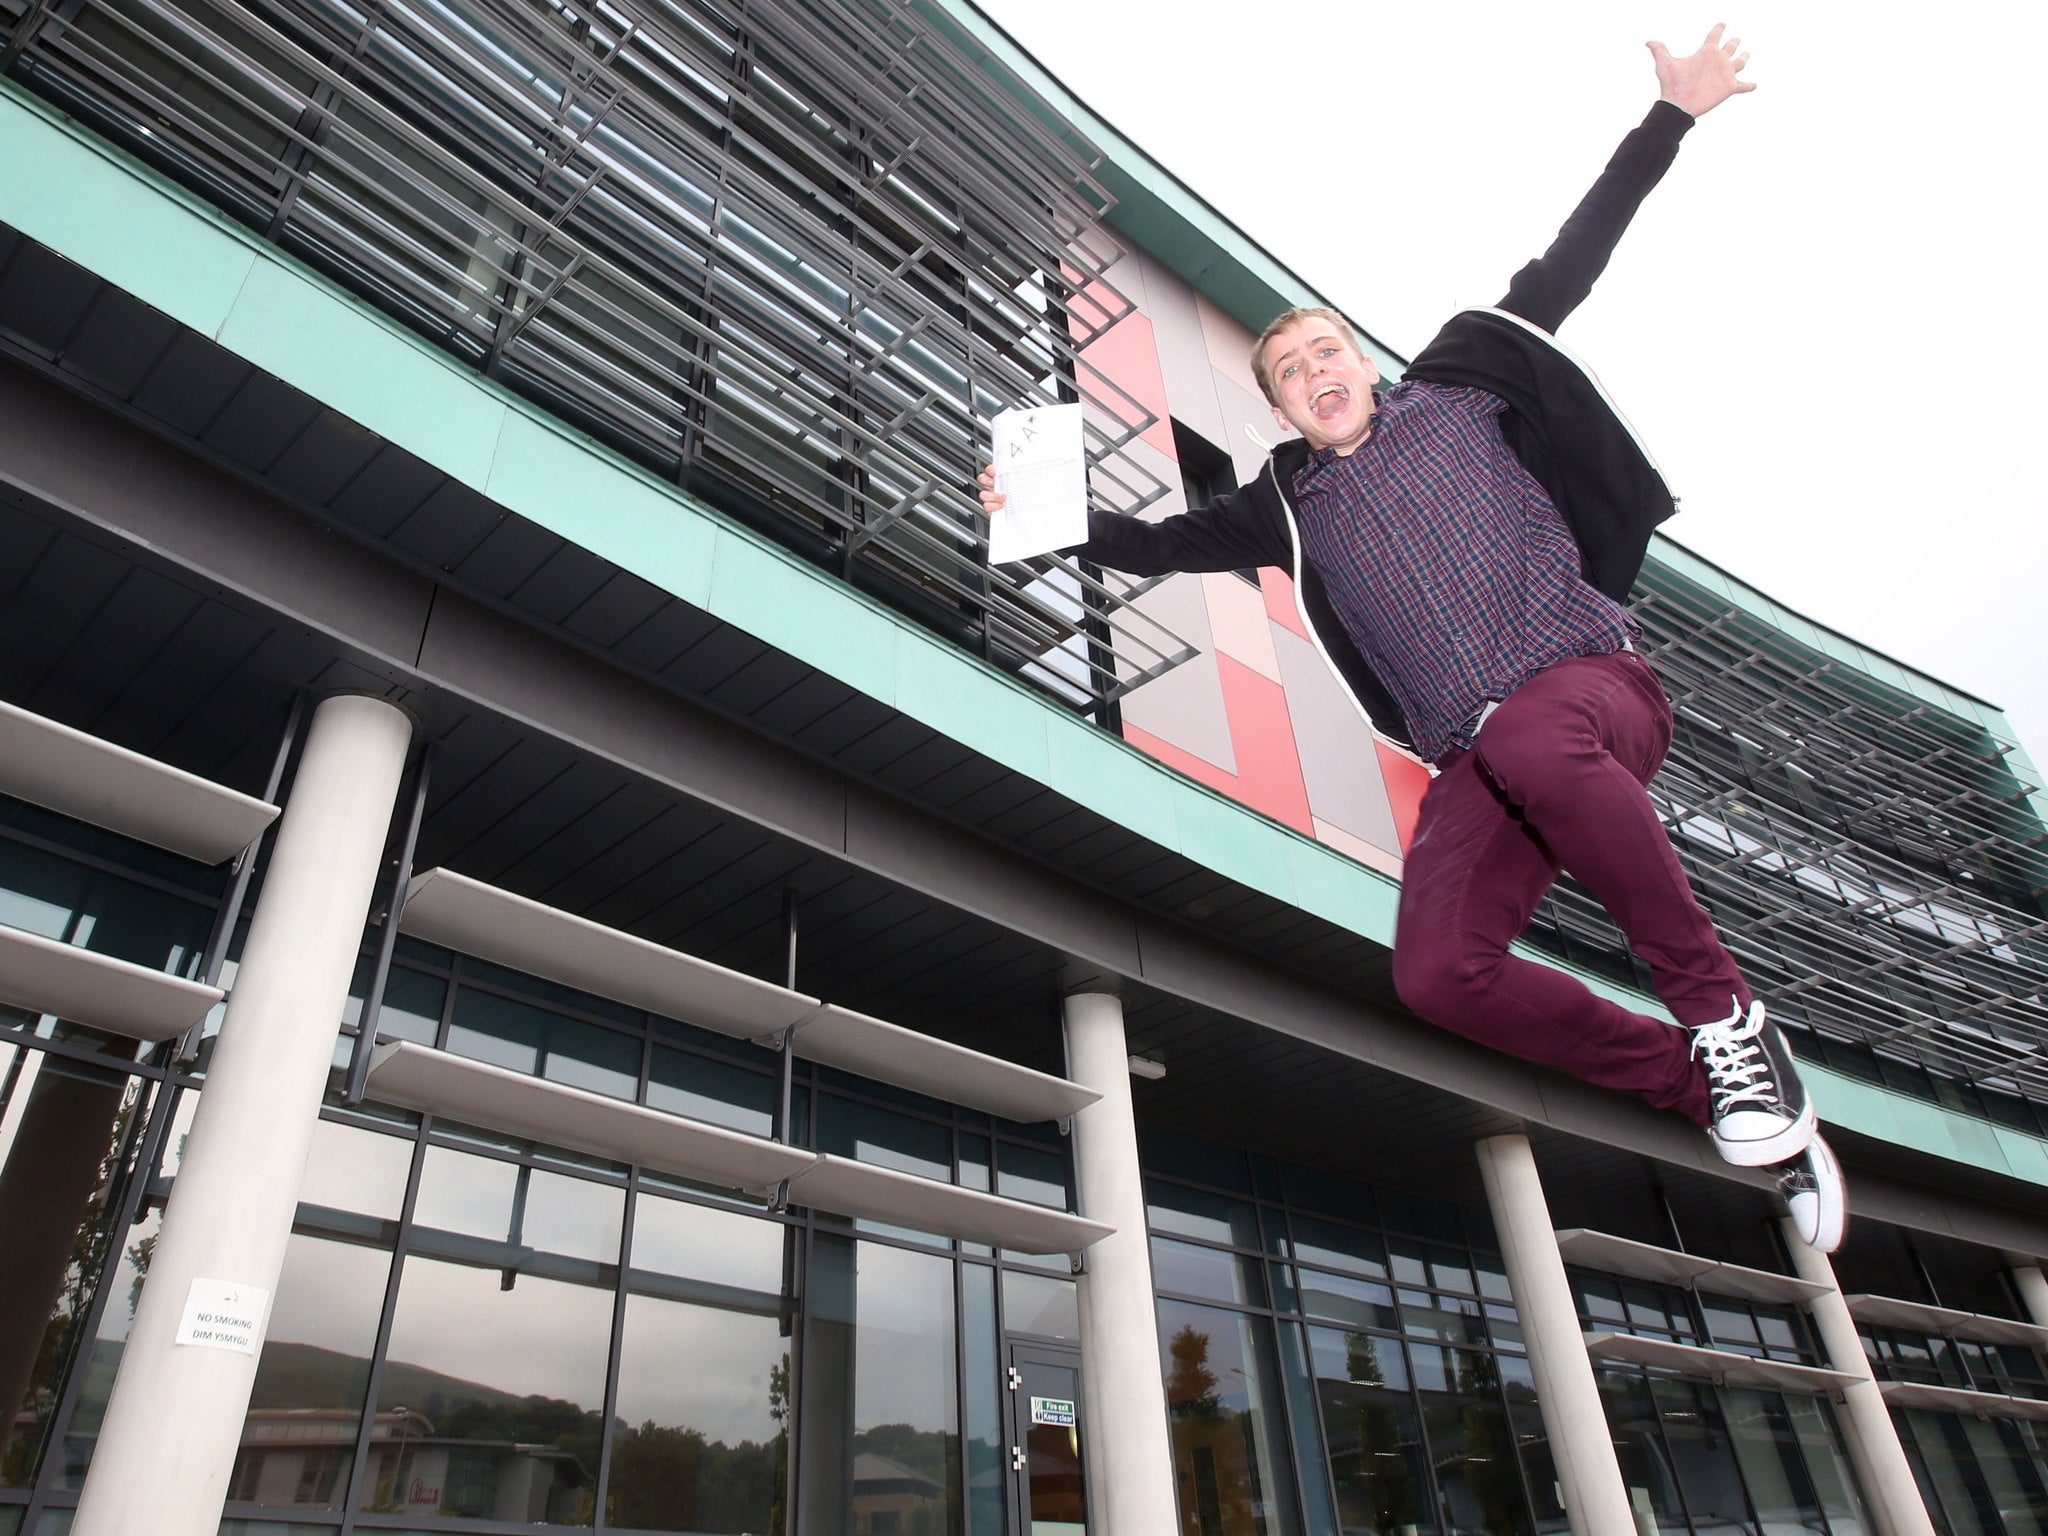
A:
{"x":1558,"y":781}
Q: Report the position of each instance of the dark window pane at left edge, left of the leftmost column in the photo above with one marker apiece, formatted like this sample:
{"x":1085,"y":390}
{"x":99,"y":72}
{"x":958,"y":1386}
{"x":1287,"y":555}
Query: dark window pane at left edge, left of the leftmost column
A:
{"x":62,"y":1127}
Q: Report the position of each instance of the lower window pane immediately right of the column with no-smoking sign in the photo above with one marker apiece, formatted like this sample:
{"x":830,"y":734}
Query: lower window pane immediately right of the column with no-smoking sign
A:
{"x":300,"y":1435}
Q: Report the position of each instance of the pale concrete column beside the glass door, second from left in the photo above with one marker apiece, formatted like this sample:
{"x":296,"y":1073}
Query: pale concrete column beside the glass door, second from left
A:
{"x":1125,"y":1437}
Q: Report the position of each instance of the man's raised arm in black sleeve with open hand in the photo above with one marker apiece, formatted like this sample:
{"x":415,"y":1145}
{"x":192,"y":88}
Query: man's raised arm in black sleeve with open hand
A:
{"x":1558,"y":282}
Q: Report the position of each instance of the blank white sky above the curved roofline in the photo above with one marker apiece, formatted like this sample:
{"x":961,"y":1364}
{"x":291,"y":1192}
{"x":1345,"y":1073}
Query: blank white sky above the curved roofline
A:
{"x":1824,"y":323}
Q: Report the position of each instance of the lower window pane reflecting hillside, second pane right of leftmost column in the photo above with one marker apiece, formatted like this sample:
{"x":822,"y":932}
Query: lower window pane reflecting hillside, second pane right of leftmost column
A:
{"x":493,"y":1398}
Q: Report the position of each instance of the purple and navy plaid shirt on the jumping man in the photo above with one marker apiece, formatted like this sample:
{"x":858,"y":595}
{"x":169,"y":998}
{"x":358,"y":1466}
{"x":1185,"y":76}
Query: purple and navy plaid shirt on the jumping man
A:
{"x":1447,"y":562}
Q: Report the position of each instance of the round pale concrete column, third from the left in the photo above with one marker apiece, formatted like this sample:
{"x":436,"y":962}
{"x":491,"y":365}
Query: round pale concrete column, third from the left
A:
{"x":1582,"y":1447}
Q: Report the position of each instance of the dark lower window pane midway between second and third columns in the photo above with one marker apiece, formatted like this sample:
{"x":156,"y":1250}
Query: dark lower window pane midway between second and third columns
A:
{"x":1373,"y":1435}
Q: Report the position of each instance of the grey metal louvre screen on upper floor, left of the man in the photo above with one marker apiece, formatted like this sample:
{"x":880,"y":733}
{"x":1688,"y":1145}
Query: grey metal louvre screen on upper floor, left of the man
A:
{"x":787,"y":255}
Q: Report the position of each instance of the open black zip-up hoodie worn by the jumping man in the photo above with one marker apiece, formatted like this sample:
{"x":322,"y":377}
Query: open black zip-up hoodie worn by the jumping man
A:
{"x":1560,"y":423}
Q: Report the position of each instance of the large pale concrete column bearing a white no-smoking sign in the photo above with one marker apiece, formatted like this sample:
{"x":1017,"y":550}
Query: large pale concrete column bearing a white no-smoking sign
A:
{"x":175,"y":1420}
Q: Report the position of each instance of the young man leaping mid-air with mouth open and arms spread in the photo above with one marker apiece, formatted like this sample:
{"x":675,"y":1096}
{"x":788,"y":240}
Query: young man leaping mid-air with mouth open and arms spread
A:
{"x":1463,"y":546}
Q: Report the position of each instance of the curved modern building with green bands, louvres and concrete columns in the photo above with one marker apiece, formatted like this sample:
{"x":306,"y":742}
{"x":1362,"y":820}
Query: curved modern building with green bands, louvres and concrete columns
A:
{"x":574,"y":955}
